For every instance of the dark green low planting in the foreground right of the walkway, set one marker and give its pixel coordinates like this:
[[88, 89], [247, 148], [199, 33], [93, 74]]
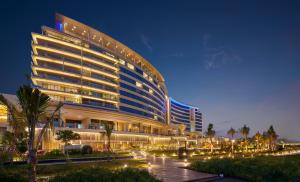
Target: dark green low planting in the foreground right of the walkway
[[261, 168]]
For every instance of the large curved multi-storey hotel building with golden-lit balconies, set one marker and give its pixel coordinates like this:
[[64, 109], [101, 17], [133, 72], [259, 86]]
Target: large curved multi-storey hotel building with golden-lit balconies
[[99, 79]]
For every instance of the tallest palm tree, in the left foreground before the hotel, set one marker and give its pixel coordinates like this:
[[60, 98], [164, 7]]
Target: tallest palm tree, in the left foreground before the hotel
[[33, 110]]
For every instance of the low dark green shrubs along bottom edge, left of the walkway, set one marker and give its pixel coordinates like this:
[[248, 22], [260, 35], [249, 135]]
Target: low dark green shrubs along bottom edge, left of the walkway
[[105, 175]]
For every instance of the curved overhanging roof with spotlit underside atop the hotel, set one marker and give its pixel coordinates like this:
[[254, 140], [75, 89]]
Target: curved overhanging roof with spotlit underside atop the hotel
[[125, 51]]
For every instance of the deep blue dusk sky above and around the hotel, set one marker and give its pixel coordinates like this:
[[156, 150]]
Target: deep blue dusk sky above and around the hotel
[[238, 61]]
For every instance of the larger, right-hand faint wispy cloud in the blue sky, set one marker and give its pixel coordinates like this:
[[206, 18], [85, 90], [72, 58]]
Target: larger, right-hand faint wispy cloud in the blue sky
[[217, 56]]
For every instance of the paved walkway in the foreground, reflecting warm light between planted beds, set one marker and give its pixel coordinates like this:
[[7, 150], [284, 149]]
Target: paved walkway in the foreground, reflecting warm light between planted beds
[[170, 170]]
